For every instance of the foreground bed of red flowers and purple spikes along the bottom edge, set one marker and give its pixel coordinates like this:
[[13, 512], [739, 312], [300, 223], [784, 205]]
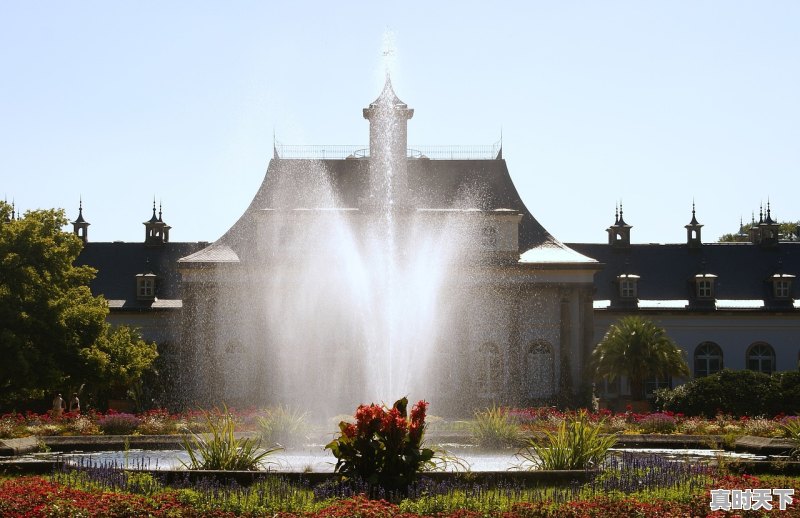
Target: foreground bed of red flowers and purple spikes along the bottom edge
[[655, 488]]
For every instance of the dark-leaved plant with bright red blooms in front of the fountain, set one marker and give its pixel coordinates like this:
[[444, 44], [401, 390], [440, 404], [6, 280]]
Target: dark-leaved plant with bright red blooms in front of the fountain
[[383, 447]]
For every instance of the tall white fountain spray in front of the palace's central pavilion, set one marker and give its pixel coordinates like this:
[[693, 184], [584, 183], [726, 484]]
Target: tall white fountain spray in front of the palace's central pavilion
[[353, 282]]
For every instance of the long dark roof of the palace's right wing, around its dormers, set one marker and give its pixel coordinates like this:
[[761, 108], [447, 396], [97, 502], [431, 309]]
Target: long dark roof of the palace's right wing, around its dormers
[[743, 270]]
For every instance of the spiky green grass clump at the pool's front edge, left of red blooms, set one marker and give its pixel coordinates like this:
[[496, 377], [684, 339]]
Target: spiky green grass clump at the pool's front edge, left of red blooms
[[220, 449]]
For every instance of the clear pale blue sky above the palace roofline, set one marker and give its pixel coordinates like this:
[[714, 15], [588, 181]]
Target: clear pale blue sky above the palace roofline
[[651, 103]]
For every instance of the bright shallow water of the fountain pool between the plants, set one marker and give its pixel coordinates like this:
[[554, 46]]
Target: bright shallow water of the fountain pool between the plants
[[321, 461]]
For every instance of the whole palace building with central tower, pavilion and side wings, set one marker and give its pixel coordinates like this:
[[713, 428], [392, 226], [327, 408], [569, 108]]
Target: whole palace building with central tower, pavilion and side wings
[[389, 268]]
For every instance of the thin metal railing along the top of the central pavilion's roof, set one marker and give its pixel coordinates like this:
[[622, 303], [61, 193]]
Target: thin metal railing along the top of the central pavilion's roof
[[434, 152]]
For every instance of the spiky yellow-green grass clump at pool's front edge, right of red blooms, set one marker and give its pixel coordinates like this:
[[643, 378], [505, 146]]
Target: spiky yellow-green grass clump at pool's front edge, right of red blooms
[[576, 444]]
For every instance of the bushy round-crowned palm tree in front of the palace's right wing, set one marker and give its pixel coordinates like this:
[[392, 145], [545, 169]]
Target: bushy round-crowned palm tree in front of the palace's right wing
[[636, 348]]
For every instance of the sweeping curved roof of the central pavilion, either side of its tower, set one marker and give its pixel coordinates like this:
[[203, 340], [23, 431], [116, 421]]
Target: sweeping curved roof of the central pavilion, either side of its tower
[[296, 183]]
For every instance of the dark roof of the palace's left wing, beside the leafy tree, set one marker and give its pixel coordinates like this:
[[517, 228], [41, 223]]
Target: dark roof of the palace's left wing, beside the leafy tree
[[118, 263]]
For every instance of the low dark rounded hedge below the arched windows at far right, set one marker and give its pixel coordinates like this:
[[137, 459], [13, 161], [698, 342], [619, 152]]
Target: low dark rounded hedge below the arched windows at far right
[[737, 393]]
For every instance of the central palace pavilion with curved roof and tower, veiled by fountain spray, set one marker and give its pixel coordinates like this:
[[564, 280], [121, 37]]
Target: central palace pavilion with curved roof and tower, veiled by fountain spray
[[380, 275]]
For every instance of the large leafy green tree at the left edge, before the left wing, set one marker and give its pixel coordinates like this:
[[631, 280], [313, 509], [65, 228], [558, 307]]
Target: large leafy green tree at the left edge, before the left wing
[[51, 323]]
